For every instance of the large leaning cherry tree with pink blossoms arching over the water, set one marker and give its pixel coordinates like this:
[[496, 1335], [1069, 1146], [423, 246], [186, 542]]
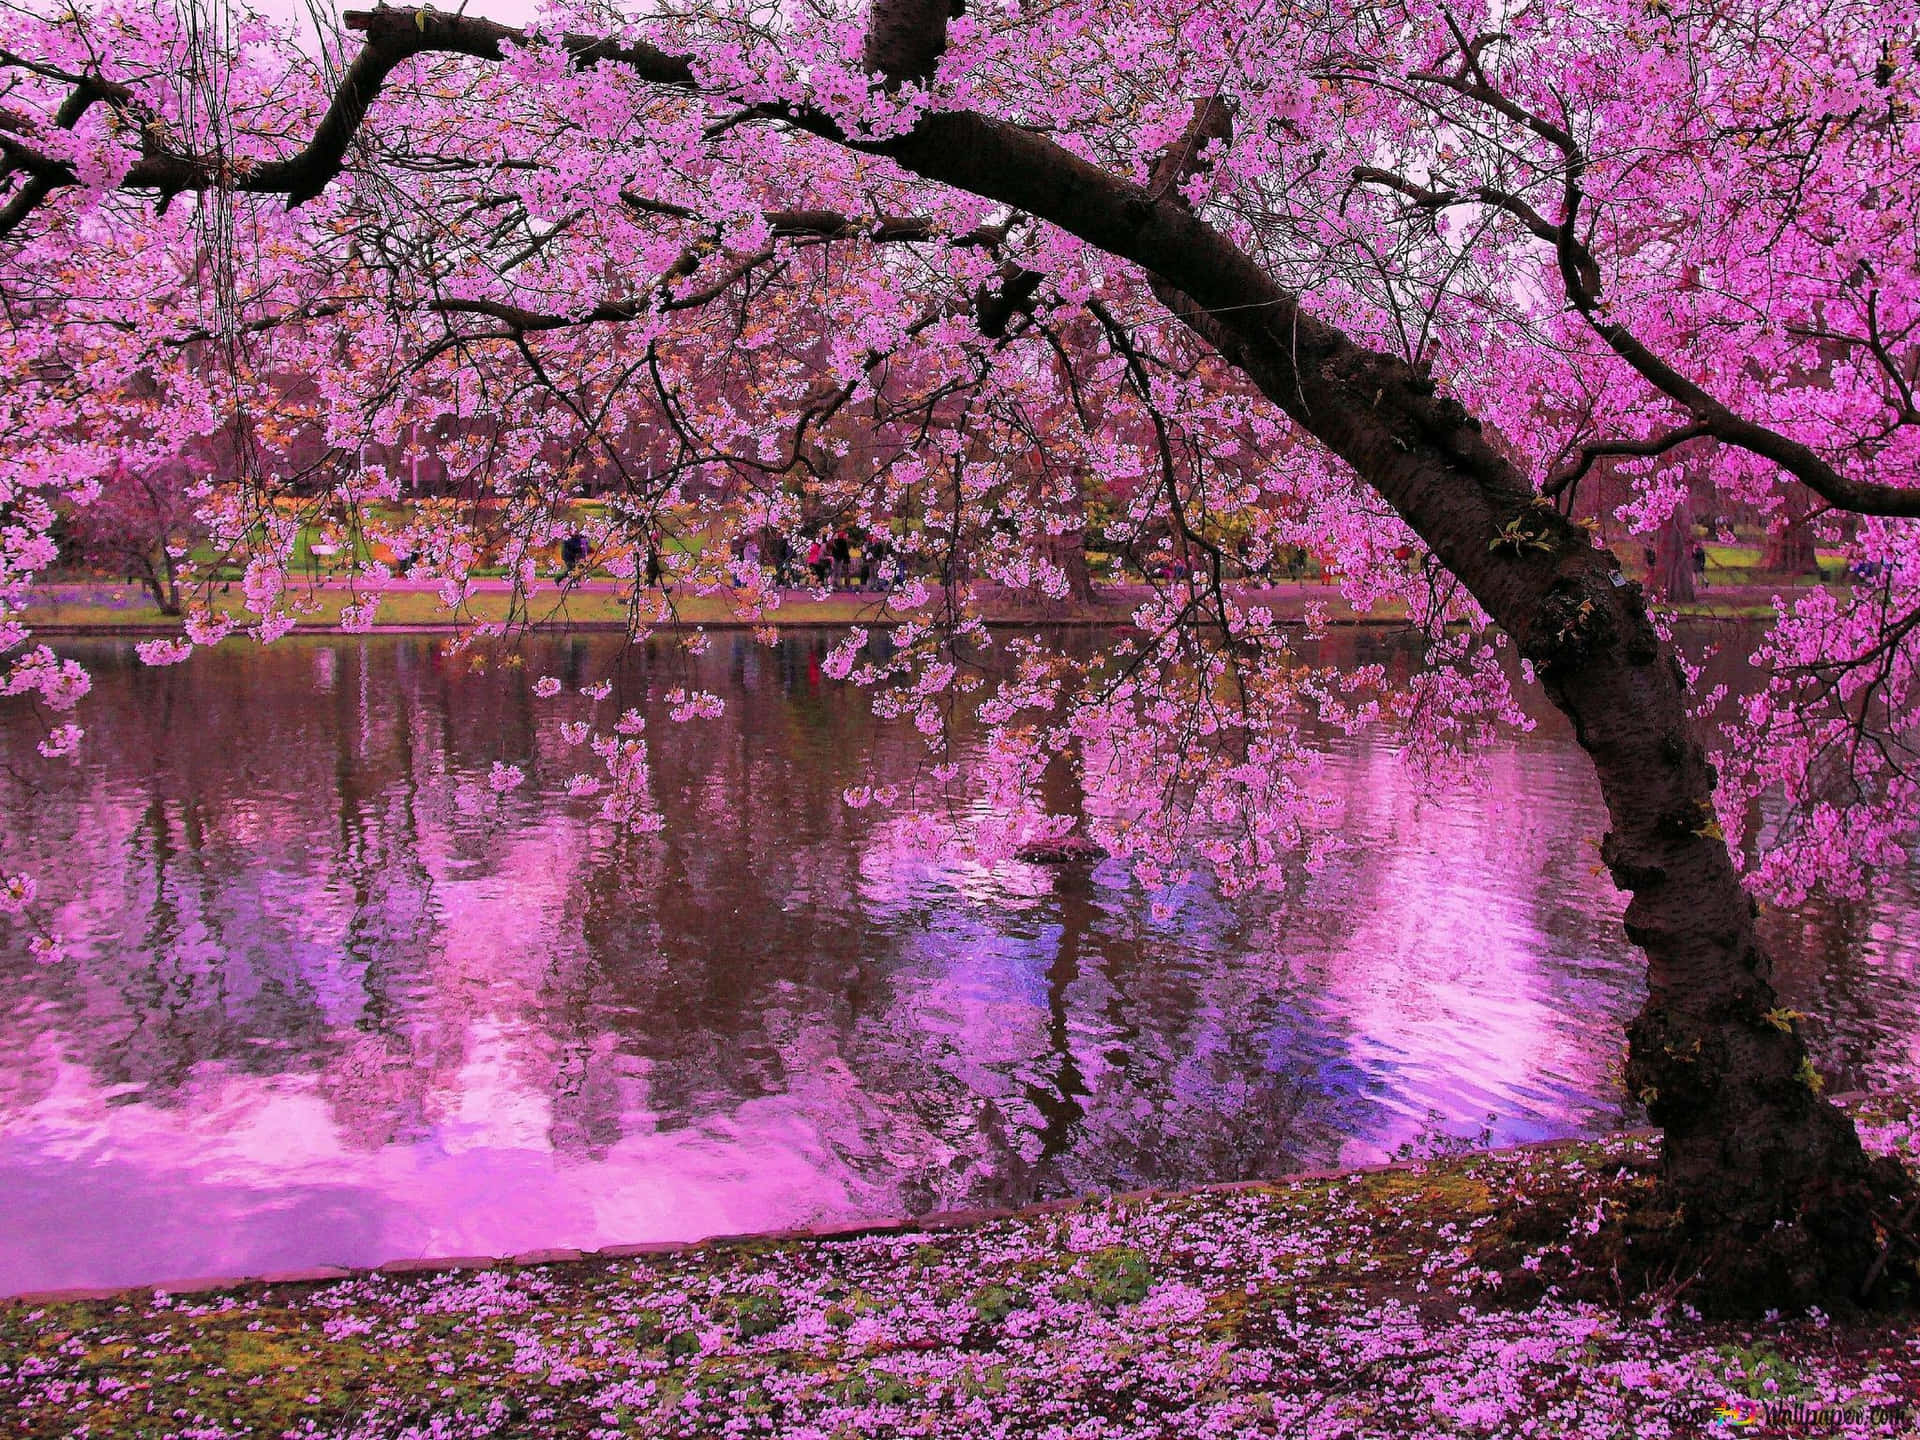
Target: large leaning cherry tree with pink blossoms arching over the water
[[1368, 279]]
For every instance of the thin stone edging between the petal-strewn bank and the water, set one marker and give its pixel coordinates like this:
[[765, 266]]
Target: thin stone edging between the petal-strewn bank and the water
[[938, 1222]]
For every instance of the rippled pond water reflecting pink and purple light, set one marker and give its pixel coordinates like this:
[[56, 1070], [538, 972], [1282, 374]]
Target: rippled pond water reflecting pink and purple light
[[322, 1009]]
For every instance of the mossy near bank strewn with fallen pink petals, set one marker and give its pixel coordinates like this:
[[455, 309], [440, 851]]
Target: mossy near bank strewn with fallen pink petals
[[1399, 1303]]
